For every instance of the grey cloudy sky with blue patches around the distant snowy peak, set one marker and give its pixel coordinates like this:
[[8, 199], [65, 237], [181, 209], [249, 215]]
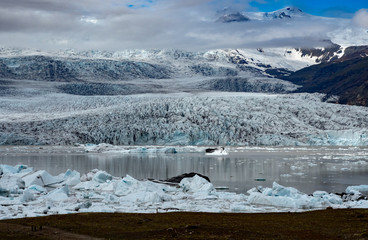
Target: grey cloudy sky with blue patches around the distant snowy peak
[[182, 24]]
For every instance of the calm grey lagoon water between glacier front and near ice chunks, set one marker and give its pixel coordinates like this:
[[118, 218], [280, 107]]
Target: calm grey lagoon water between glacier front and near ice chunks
[[330, 170]]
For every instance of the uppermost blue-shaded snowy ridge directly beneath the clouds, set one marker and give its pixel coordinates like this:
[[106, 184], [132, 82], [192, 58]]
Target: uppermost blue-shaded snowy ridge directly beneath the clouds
[[67, 66]]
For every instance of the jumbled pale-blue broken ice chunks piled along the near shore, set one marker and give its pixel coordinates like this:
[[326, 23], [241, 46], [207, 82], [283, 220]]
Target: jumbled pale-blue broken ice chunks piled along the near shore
[[98, 191]]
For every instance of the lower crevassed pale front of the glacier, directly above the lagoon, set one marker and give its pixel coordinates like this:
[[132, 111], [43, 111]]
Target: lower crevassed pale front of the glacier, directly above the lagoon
[[182, 119]]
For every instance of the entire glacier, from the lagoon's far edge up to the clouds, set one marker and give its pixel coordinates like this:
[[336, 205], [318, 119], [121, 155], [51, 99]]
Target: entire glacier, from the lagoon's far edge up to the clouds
[[170, 97]]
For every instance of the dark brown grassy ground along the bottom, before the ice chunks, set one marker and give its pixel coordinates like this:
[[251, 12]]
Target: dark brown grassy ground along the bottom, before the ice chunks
[[328, 224]]
